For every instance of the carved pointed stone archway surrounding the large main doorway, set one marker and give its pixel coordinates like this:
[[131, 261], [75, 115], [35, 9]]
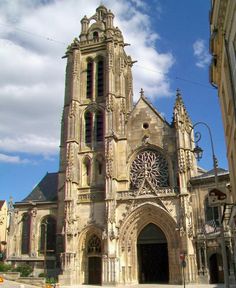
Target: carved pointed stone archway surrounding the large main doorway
[[136, 221]]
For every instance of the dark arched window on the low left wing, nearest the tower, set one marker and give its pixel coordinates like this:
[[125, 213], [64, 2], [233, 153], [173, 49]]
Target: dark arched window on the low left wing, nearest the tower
[[48, 235]]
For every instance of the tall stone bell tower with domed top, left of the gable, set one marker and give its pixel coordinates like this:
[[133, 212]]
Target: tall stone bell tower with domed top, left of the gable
[[98, 100]]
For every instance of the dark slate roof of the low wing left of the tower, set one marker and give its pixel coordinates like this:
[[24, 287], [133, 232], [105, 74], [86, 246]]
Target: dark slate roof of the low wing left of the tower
[[45, 190]]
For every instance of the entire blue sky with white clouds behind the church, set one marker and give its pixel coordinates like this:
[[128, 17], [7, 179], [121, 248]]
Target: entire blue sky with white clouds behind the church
[[168, 38]]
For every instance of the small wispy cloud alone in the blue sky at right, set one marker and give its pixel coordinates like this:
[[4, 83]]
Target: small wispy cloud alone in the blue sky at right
[[201, 53]]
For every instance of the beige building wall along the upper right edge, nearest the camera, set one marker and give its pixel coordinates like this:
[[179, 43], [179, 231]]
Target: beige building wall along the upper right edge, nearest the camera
[[223, 73]]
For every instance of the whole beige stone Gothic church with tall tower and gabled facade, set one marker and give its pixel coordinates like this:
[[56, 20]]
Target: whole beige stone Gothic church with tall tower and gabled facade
[[129, 201]]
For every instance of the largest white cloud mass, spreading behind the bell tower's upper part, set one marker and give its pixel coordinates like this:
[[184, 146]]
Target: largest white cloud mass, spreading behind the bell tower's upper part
[[34, 35]]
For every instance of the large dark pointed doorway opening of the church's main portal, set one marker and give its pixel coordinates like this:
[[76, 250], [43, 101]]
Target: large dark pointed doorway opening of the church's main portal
[[153, 264]]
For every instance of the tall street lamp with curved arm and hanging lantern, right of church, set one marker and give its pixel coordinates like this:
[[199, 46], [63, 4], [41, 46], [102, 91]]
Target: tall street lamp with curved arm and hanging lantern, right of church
[[198, 152]]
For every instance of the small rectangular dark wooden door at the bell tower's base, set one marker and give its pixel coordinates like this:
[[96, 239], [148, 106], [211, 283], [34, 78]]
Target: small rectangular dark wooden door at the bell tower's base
[[94, 270]]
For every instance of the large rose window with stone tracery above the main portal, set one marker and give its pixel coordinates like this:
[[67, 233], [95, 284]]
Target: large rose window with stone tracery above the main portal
[[149, 168]]
